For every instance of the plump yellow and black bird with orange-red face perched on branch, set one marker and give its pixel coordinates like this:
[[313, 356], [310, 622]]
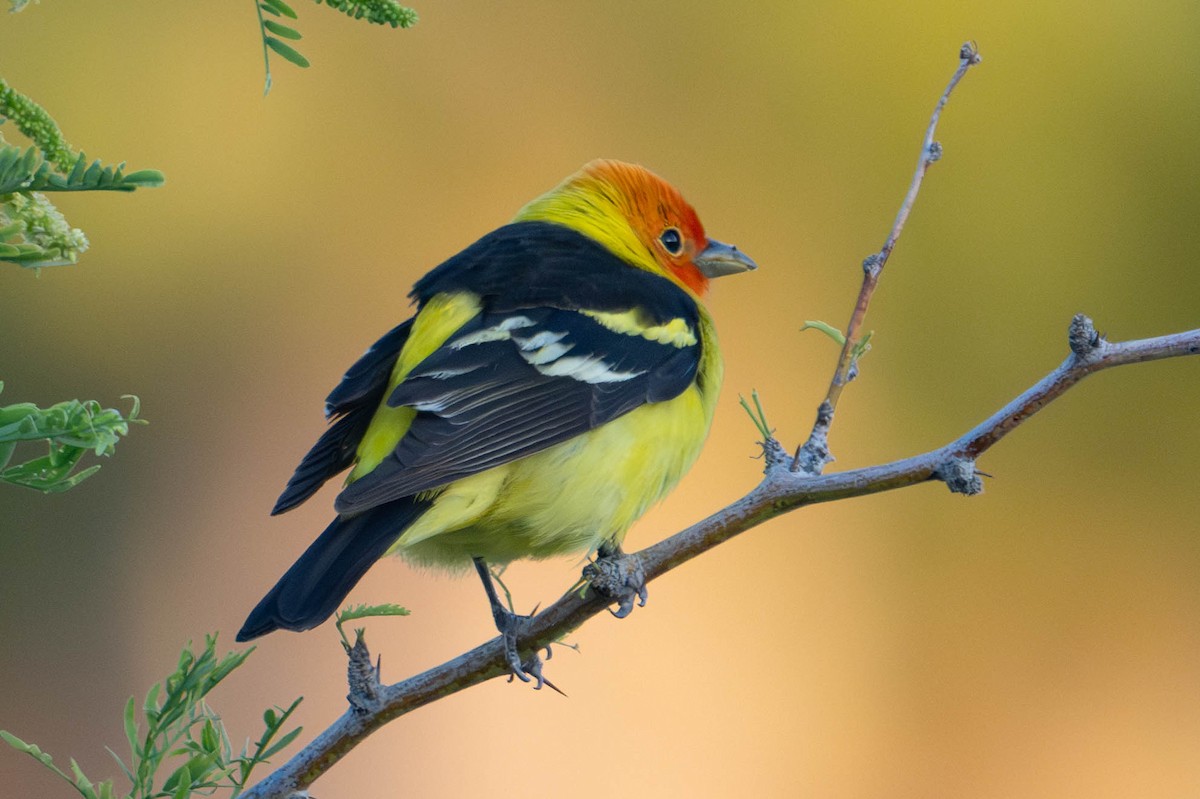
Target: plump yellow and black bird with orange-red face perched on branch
[[559, 379]]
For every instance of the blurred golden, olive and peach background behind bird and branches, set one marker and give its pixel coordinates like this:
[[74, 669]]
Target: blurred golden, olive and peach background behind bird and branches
[[1042, 640]]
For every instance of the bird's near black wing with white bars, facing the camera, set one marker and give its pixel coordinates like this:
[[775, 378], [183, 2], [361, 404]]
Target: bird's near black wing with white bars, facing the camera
[[514, 383]]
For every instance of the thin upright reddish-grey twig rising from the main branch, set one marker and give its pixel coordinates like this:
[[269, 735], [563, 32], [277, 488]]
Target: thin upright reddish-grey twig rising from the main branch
[[813, 456]]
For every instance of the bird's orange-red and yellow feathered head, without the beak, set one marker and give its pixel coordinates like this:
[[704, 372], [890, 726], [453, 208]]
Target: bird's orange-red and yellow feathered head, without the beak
[[635, 214]]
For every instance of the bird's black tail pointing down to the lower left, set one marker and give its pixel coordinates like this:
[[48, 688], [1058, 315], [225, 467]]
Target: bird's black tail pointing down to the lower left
[[315, 586]]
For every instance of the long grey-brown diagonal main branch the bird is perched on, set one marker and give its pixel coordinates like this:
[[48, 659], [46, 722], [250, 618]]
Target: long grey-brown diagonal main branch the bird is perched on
[[781, 491]]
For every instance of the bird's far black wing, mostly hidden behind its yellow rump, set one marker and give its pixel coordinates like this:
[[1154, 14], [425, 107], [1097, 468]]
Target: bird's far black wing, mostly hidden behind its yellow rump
[[351, 407]]
